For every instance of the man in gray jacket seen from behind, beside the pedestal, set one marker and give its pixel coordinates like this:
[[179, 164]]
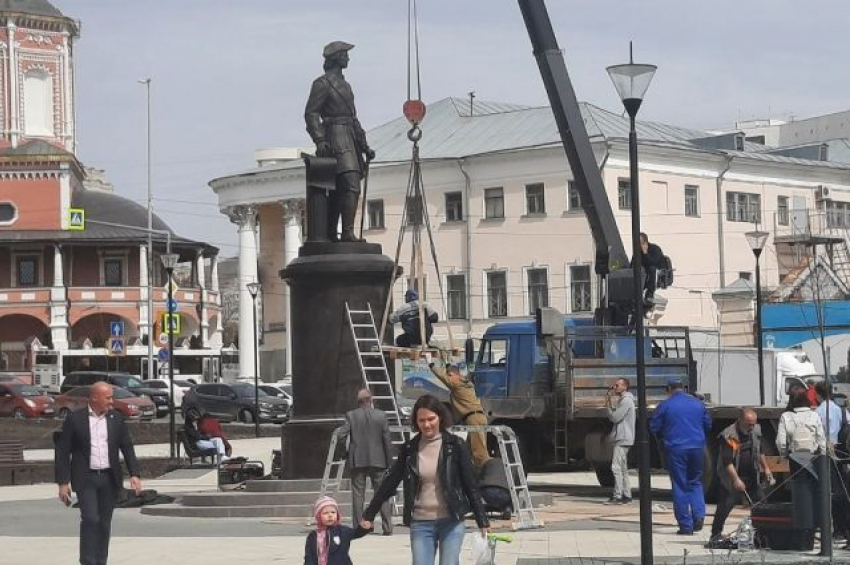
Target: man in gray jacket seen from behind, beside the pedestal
[[370, 452]]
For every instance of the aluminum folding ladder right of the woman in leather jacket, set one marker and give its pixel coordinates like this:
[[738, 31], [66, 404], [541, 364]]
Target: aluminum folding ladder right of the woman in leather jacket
[[524, 516]]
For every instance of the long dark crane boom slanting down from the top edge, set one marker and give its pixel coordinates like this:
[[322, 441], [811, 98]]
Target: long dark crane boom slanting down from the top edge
[[610, 253]]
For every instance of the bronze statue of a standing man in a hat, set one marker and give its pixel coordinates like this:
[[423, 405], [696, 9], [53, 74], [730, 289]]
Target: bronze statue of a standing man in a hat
[[332, 123]]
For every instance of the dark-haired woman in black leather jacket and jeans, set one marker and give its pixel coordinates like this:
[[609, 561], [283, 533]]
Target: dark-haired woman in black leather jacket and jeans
[[439, 487]]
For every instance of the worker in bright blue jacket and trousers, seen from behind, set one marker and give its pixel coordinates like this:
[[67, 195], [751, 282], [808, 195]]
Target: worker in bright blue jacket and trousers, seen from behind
[[681, 424]]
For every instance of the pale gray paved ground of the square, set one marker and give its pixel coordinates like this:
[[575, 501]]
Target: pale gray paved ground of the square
[[36, 529]]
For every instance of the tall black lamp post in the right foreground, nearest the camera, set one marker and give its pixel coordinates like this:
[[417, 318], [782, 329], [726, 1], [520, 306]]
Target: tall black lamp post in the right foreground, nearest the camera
[[631, 81]]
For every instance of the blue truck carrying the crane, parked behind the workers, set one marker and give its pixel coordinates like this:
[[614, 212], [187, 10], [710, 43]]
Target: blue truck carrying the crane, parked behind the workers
[[551, 389]]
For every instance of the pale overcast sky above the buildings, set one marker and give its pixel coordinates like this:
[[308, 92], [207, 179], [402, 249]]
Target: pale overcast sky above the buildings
[[230, 76]]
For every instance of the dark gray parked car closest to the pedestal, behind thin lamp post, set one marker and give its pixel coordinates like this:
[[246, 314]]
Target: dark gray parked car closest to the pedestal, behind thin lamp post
[[234, 402]]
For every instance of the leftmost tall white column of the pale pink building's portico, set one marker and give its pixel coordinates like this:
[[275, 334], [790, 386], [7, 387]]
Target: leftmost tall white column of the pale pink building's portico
[[245, 217]]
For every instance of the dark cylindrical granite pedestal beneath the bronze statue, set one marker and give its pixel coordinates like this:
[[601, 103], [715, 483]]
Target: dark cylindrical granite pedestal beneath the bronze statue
[[325, 371]]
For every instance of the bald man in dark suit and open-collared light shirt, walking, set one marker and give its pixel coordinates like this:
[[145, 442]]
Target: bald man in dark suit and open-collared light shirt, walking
[[87, 461]]
